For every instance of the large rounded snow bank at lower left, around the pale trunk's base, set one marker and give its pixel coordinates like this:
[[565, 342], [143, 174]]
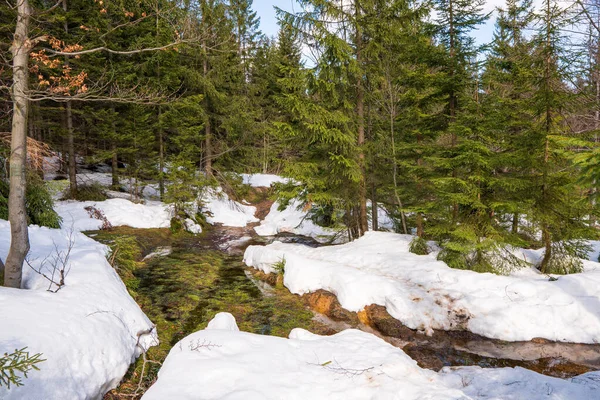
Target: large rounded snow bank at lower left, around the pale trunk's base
[[87, 332]]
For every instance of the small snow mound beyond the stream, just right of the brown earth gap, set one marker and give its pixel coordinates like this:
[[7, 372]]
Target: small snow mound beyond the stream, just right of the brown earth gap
[[293, 220]]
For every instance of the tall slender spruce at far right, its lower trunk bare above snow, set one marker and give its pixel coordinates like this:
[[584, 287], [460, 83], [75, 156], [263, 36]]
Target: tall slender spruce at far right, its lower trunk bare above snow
[[558, 207]]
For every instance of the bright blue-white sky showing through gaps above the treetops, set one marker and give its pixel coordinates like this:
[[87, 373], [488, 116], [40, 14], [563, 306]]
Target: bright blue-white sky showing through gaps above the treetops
[[268, 18]]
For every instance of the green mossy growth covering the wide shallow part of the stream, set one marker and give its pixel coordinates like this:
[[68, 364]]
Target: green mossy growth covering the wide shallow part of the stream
[[183, 291]]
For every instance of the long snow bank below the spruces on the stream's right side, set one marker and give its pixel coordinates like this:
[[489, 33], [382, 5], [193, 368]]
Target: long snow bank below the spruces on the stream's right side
[[426, 294]]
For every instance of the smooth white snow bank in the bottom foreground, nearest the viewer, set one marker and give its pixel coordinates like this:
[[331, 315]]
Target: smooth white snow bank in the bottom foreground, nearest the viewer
[[223, 363]]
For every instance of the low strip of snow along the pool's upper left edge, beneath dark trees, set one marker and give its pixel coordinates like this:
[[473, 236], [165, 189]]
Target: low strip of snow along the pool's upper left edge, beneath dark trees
[[117, 211]]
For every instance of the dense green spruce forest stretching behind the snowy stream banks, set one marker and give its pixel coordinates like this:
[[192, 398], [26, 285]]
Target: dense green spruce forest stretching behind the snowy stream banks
[[392, 102]]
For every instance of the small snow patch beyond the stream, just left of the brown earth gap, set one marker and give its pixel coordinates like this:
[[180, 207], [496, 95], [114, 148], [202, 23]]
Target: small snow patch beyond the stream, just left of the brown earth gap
[[221, 210]]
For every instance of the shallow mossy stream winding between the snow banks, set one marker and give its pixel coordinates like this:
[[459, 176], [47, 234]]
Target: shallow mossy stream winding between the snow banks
[[181, 281]]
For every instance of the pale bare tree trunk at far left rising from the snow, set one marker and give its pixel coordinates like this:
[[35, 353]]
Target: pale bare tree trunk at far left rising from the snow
[[17, 213]]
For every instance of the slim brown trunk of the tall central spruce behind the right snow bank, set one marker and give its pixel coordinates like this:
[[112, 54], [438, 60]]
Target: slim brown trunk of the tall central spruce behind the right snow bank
[[363, 223]]
